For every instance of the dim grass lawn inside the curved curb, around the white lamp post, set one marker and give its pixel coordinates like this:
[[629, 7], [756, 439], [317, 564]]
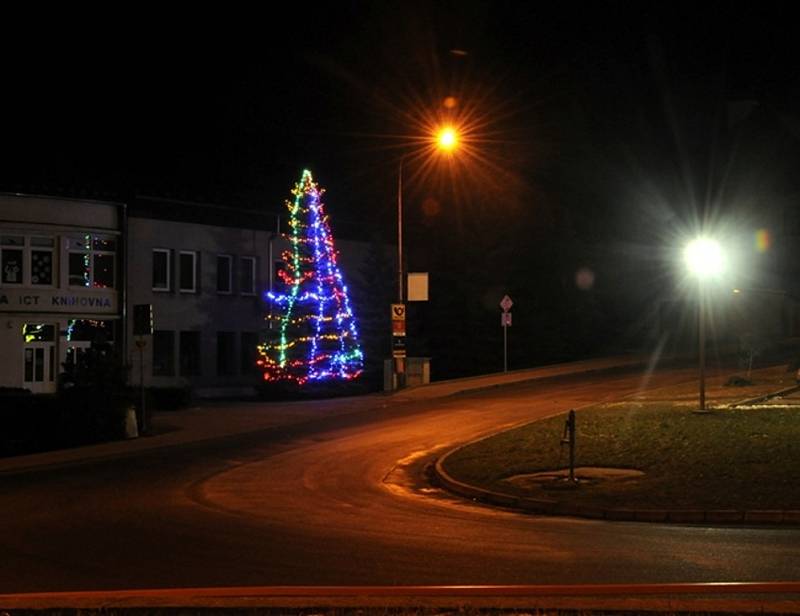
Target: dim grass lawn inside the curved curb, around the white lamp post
[[732, 458]]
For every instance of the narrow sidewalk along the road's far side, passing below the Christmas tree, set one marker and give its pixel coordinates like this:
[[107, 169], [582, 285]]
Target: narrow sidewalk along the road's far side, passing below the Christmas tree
[[219, 419]]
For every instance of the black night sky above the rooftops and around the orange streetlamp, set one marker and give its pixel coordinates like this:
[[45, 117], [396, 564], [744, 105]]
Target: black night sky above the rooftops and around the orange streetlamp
[[230, 105]]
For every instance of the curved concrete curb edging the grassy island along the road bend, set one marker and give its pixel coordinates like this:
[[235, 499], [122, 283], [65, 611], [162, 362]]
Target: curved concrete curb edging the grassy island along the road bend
[[559, 508]]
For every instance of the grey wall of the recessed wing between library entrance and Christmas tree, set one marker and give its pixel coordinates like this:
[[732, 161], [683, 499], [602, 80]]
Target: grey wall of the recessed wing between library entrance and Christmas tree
[[206, 312]]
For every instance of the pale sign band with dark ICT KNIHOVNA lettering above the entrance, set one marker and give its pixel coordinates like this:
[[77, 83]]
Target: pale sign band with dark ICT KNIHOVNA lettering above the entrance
[[57, 300]]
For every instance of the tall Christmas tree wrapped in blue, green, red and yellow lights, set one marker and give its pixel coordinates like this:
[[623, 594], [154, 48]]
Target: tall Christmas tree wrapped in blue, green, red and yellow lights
[[316, 337]]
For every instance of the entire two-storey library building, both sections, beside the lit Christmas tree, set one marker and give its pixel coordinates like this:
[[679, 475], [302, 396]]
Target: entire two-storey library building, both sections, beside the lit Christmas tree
[[73, 270]]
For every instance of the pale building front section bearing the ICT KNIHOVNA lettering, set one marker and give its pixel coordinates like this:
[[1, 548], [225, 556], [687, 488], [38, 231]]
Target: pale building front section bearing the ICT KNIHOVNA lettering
[[61, 285]]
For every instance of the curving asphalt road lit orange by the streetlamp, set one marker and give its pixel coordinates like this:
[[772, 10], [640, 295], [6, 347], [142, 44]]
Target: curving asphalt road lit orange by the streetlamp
[[344, 501]]
